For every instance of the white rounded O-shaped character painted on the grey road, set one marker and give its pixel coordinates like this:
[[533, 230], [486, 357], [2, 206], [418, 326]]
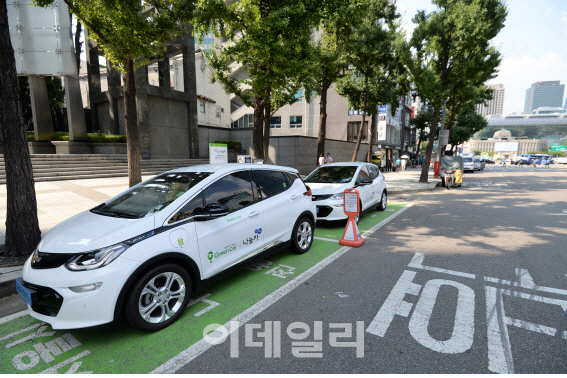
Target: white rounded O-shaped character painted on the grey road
[[461, 338]]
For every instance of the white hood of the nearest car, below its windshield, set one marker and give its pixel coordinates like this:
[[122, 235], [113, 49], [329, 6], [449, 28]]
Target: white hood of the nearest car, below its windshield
[[88, 231]]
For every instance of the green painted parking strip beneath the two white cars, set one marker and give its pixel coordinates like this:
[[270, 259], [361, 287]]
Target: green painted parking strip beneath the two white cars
[[131, 351]]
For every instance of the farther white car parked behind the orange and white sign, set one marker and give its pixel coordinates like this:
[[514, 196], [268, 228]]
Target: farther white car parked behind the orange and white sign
[[329, 182]]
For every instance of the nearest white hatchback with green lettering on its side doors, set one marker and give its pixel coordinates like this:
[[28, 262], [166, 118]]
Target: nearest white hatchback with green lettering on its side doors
[[143, 253]]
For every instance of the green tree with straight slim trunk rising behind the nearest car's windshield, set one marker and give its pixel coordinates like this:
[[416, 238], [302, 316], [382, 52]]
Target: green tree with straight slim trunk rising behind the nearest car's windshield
[[130, 32]]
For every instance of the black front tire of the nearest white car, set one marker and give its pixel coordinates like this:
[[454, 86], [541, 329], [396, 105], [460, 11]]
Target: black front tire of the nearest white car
[[158, 276]]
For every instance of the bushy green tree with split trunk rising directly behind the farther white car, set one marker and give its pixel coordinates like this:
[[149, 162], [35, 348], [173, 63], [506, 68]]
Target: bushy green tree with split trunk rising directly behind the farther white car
[[375, 74]]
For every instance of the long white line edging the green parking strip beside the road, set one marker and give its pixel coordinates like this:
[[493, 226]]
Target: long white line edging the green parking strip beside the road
[[244, 317]]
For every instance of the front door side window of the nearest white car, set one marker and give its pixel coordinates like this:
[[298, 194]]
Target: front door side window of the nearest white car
[[233, 191]]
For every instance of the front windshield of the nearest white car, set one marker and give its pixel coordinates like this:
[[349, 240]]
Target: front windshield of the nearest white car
[[152, 196]]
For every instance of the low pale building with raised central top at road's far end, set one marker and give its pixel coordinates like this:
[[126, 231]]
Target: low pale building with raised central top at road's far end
[[503, 143]]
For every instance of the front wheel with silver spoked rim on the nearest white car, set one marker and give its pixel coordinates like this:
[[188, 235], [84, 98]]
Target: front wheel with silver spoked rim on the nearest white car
[[158, 298]]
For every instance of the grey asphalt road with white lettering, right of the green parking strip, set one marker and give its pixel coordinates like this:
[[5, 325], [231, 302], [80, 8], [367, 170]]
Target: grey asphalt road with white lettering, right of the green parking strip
[[471, 280]]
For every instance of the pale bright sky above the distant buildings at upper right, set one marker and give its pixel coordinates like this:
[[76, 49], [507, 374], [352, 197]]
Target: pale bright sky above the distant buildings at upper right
[[532, 44]]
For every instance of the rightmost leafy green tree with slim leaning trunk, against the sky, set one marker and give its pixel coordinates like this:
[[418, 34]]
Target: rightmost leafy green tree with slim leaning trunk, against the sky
[[451, 50]]
